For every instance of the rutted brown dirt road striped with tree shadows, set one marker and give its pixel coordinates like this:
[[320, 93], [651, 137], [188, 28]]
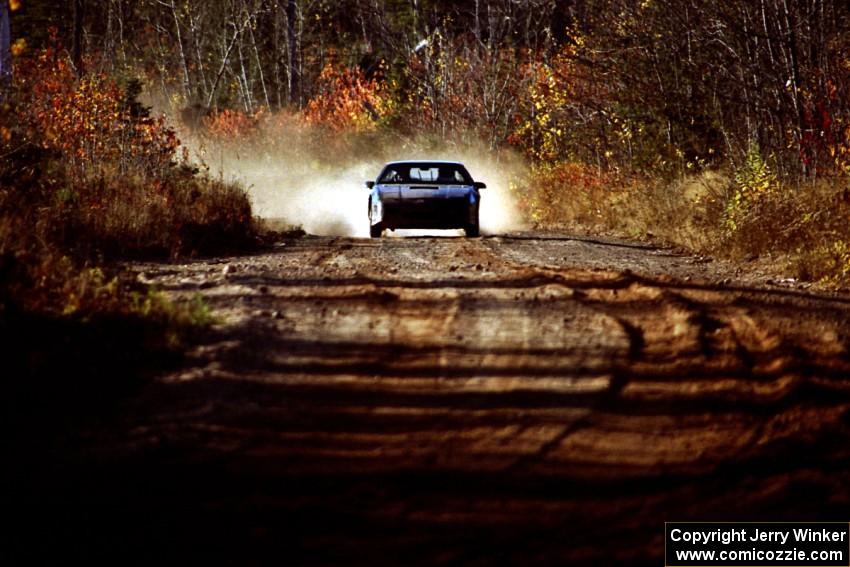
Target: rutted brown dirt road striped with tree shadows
[[525, 399]]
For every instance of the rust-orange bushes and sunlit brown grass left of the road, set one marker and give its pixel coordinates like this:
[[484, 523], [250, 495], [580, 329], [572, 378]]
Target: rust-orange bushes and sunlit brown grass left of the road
[[91, 176]]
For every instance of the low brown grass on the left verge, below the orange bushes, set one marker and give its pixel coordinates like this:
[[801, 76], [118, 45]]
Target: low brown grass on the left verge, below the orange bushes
[[70, 314]]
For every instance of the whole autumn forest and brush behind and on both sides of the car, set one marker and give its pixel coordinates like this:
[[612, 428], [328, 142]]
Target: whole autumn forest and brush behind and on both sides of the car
[[722, 127]]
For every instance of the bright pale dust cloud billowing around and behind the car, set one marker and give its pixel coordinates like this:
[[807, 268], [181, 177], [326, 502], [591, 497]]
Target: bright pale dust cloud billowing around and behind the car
[[297, 180]]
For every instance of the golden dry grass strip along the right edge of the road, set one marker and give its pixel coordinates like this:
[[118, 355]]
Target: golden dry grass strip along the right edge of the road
[[799, 227]]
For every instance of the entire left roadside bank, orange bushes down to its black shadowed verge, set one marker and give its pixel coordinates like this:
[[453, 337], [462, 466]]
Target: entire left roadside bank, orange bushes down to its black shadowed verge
[[89, 179]]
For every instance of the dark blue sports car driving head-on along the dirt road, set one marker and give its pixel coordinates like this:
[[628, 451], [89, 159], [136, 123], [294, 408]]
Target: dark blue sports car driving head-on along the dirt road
[[424, 194]]
